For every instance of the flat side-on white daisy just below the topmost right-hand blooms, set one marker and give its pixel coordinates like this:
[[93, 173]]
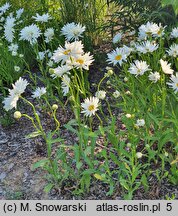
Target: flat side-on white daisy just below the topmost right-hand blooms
[[146, 47]]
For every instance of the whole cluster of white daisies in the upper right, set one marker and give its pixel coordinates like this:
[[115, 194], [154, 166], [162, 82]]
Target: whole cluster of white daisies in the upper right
[[146, 43]]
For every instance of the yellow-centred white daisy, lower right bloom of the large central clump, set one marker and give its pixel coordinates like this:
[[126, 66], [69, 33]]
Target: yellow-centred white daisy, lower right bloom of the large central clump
[[83, 61]]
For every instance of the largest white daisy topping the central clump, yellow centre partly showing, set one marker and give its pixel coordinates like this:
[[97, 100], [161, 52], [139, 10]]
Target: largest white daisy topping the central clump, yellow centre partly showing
[[70, 50]]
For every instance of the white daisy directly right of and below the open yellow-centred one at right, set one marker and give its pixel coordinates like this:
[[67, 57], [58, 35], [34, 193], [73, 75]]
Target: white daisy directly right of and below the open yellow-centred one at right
[[138, 67]]
